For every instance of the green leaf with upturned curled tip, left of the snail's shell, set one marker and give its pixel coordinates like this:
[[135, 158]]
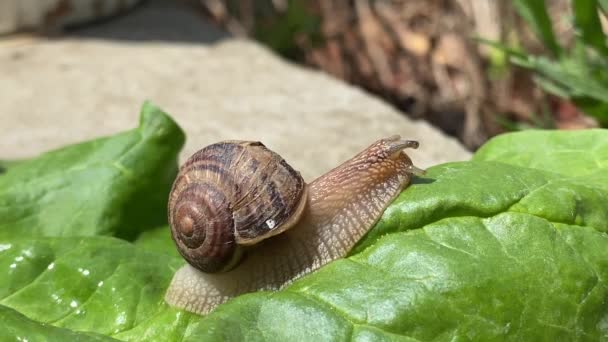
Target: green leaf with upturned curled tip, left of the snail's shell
[[109, 186]]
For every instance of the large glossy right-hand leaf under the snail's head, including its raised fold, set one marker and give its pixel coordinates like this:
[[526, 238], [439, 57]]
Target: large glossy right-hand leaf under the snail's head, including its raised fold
[[473, 252]]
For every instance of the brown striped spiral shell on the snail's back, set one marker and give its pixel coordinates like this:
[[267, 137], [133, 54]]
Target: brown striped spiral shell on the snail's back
[[229, 195]]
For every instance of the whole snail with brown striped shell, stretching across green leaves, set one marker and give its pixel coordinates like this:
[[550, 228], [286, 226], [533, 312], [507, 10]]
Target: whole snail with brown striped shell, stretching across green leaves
[[245, 220]]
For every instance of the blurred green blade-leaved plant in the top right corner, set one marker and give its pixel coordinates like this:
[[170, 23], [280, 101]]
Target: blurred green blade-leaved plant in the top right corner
[[578, 73]]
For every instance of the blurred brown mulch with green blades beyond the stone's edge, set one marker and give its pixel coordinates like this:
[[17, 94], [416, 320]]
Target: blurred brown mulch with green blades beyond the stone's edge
[[474, 68]]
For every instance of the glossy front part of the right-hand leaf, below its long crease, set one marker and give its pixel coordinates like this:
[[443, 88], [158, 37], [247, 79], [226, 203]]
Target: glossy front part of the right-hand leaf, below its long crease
[[511, 276]]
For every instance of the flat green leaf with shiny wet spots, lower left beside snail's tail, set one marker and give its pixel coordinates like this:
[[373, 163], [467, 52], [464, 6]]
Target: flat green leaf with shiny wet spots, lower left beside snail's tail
[[95, 284]]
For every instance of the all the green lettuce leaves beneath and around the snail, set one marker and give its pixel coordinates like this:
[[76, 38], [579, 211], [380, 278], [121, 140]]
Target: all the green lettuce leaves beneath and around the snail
[[511, 245]]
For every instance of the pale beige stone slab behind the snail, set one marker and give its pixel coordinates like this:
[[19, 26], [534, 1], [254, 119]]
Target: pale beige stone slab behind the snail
[[56, 92]]
